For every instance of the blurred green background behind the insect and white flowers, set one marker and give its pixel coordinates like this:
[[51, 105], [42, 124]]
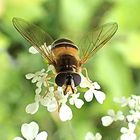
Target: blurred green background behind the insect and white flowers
[[116, 67]]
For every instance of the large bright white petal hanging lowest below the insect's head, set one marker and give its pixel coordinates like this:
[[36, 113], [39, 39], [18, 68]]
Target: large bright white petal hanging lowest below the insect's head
[[65, 113]]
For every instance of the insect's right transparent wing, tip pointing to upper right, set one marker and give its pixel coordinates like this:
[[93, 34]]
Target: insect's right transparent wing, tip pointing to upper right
[[95, 40]]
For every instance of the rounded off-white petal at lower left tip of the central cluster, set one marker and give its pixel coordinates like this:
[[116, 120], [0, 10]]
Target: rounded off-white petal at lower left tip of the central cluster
[[32, 108]]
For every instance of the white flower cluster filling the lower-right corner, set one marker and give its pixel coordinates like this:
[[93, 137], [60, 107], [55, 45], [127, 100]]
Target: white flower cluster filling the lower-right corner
[[131, 118]]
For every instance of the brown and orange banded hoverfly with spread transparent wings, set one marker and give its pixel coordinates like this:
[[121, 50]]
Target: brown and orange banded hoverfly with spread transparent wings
[[63, 54]]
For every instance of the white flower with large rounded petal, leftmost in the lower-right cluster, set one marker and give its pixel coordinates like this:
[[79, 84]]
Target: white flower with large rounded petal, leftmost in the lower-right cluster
[[107, 120]]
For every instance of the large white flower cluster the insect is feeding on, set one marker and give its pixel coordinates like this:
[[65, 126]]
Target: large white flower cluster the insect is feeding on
[[54, 99]]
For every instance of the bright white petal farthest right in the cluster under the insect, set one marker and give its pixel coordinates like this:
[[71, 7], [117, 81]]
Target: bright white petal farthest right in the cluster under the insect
[[100, 96]]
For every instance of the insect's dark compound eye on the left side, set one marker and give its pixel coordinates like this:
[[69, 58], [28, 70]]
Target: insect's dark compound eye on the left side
[[61, 79]]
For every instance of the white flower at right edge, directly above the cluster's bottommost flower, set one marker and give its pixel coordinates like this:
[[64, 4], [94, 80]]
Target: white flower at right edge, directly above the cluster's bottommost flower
[[134, 117]]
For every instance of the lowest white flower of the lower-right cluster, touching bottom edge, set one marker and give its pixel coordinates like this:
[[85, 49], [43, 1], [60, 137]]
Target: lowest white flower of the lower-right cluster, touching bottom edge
[[128, 133]]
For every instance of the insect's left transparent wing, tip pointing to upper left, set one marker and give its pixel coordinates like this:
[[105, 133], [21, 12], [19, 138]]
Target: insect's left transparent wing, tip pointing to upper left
[[36, 36]]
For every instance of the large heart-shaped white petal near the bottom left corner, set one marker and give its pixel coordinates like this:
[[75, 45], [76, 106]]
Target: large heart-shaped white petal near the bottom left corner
[[29, 131]]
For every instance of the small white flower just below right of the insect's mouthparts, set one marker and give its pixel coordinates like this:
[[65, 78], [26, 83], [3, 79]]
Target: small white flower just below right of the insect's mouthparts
[[75, 101]]
